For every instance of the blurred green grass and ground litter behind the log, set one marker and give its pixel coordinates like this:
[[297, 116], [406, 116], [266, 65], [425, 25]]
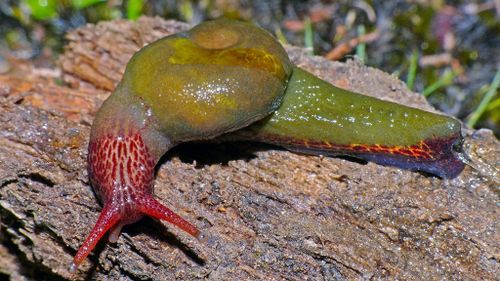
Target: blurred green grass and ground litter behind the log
[[446, 50]]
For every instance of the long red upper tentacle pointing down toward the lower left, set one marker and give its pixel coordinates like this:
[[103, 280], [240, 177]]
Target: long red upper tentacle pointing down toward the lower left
[[108, 218]]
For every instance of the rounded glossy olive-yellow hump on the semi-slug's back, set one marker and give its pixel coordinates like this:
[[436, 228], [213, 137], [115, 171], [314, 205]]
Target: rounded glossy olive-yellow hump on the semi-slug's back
[[217, 77]]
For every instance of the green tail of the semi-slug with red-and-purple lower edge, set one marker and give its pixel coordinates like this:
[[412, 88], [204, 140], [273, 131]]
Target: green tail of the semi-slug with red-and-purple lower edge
[[318, 118]]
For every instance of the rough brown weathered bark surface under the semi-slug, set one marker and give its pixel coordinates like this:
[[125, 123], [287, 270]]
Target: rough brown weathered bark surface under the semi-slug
[[265, 213]]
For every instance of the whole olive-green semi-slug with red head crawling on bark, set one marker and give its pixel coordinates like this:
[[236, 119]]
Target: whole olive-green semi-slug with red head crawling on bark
[[233, 80]]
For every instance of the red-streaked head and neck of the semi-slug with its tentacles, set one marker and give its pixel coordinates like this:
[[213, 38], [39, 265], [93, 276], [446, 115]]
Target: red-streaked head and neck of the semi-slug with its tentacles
[[122, 172]]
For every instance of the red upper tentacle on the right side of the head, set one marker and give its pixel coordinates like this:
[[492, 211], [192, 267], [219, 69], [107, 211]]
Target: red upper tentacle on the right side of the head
[[151, 207]]
